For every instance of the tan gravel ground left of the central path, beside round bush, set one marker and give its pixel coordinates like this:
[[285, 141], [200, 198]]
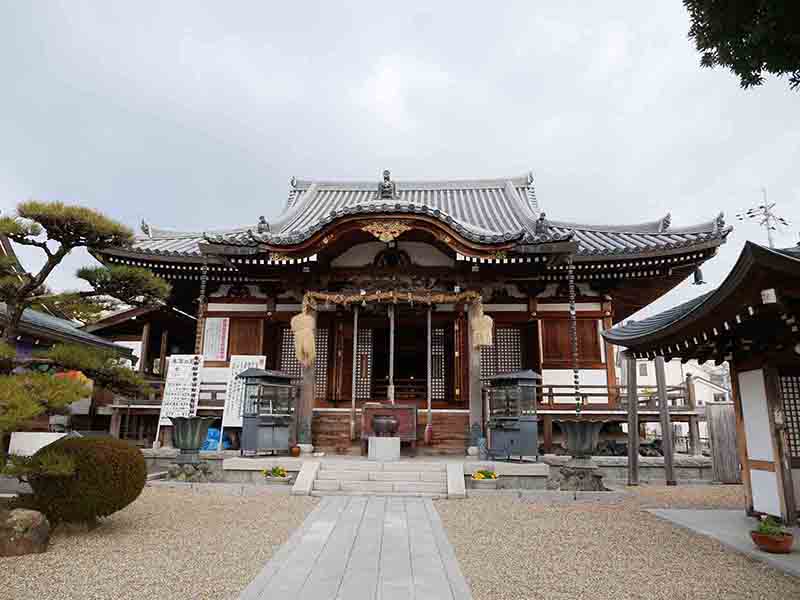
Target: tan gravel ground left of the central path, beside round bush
[[169, 544]]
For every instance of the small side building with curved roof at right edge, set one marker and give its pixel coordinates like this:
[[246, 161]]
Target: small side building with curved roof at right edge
[[752, 321]]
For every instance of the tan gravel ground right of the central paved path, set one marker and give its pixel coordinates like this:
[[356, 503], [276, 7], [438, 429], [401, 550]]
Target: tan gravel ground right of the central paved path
[[510, 549]]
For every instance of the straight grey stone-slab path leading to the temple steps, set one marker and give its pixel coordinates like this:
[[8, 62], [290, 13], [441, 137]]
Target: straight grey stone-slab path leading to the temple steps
[[360, 548]]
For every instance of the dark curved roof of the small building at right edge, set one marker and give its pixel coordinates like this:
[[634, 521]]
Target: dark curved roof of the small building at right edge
[[754, 261]]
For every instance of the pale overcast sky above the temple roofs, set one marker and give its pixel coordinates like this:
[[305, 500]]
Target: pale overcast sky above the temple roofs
[[195, 115]]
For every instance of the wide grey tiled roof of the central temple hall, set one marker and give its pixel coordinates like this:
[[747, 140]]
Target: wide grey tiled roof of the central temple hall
[[489, 211]]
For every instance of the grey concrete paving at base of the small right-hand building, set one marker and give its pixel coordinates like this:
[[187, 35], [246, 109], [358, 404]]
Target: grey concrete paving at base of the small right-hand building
[[732, 528]]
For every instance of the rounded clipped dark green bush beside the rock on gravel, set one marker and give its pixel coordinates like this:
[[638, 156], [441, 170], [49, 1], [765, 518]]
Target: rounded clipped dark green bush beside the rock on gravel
[[108, 475]]
